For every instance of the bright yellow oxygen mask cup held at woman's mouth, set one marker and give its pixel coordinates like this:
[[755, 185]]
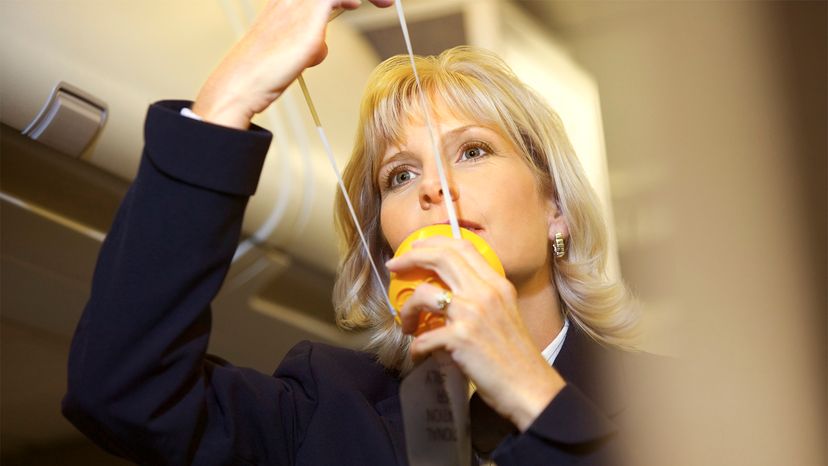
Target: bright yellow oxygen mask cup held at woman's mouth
[[403, 284]]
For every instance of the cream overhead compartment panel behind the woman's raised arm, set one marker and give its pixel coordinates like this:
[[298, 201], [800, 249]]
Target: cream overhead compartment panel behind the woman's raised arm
[[131, 54]]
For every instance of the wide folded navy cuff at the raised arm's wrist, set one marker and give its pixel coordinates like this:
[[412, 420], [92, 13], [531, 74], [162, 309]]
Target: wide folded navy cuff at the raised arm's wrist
[[203, 154]]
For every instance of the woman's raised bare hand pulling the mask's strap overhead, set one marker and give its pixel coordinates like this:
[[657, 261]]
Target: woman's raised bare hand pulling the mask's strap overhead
[[287, 37]]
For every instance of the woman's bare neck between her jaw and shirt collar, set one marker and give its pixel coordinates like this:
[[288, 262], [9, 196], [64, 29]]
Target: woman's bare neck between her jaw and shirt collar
[[540, 308]]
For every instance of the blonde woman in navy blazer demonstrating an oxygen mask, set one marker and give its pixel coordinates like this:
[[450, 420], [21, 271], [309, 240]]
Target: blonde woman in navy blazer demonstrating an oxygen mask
[[140, 383]]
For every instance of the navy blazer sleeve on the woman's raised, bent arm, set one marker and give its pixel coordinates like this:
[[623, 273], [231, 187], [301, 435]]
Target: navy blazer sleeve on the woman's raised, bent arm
[[140, 383]]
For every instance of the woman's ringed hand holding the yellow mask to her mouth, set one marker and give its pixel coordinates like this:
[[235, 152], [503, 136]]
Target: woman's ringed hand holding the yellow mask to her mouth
[[485, 334]]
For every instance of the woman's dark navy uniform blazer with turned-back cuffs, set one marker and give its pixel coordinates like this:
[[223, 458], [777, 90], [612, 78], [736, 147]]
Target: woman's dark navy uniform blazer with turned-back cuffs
[[142, 386]]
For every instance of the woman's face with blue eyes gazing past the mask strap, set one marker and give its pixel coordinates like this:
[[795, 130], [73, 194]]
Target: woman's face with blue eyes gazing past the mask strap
[[495, 193]]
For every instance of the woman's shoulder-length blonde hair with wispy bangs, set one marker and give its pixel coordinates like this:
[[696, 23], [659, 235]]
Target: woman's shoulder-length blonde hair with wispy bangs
[[479, 85]]
